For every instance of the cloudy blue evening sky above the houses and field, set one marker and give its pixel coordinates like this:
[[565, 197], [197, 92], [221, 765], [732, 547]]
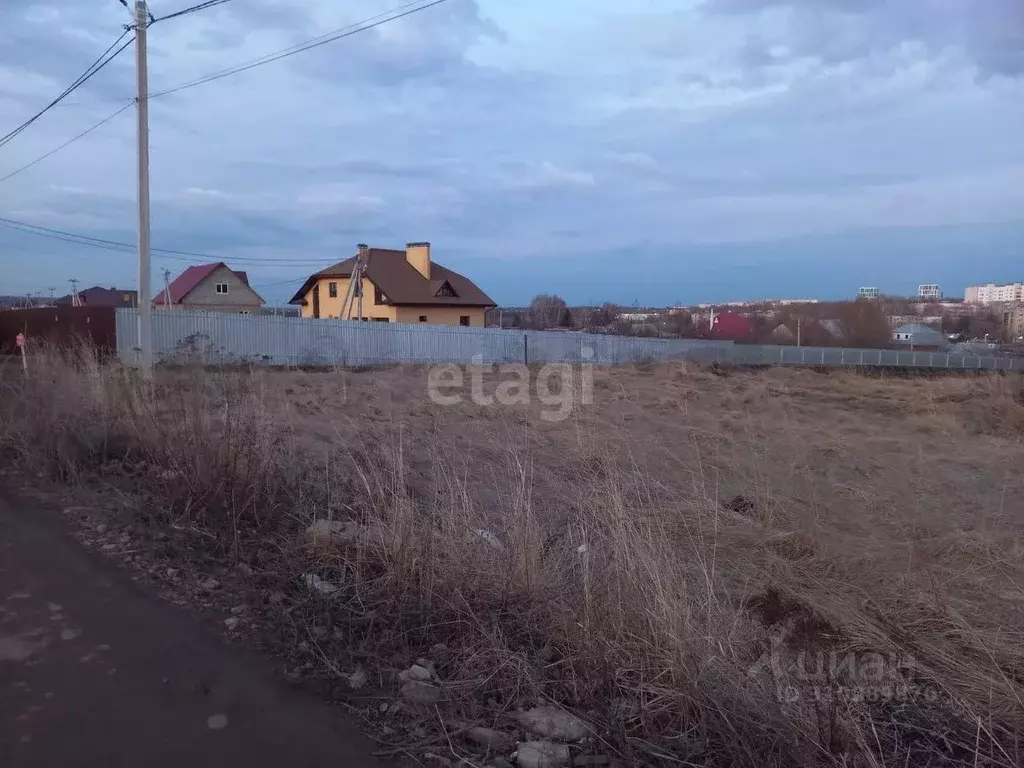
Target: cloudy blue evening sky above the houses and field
[[650, 153]]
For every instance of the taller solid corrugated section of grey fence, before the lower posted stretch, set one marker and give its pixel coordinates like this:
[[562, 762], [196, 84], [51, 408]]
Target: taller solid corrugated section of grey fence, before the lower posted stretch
[[210, 337]]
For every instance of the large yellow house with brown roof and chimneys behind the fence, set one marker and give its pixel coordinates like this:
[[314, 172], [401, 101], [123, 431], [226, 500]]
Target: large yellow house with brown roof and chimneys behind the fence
[[397, 287]]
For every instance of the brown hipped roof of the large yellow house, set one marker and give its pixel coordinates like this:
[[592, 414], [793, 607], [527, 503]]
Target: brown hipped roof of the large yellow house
[[402, 283]]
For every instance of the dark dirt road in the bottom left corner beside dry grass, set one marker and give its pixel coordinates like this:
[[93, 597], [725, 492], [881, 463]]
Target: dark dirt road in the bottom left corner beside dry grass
[[96, 673]]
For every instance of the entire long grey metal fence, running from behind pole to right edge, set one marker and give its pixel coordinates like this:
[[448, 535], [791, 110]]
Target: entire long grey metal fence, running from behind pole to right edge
[[211, 337]]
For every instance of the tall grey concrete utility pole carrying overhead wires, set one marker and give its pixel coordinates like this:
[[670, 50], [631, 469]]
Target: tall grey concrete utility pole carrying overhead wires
[[145, 310]]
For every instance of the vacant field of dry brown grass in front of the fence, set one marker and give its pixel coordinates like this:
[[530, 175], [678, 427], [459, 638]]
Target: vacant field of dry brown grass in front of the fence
[[783, 568]]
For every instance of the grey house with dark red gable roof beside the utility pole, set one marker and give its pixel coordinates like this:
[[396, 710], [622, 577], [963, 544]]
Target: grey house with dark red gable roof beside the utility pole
[[211, 288]]
